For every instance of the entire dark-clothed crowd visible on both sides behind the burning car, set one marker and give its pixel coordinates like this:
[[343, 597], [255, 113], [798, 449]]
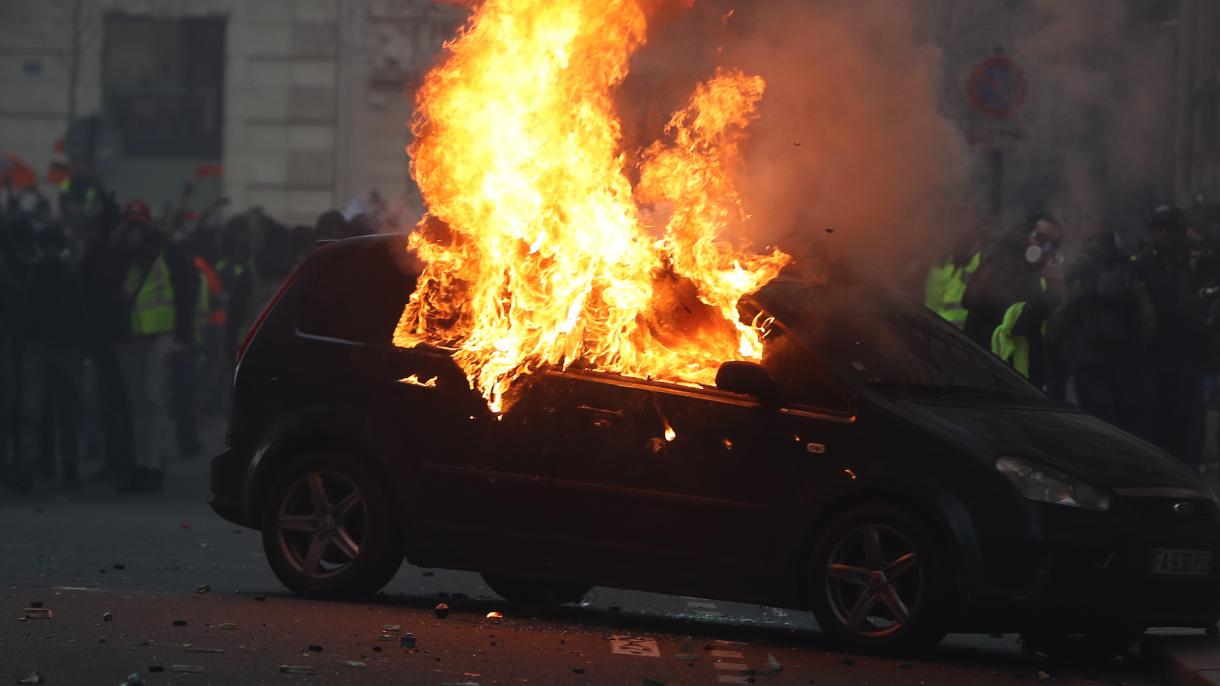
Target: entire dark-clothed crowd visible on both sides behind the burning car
[[119, 328]]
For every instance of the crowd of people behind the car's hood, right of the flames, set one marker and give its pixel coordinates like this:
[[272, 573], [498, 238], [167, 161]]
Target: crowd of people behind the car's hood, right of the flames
[[1132, 339]]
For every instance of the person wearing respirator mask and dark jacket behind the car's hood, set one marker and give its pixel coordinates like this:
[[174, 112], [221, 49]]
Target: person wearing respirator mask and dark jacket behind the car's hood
[[1008, 301]]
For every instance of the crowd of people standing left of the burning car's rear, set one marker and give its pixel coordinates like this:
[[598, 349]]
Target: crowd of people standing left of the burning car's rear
[[119, 327]]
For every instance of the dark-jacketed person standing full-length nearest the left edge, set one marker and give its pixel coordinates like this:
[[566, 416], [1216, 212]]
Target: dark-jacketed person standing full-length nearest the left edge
[[53, 356]]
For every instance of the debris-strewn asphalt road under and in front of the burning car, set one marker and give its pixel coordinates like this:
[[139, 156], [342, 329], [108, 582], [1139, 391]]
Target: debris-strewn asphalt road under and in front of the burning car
[[146, 562]]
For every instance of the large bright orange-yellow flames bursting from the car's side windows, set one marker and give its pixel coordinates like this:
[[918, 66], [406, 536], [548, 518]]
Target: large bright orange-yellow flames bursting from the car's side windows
[[536, 248]]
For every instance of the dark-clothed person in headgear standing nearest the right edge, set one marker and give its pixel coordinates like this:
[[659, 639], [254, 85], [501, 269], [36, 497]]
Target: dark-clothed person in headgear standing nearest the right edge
[[1173, 364]]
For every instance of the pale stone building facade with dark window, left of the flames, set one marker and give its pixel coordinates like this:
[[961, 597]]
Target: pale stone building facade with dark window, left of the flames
[[300, 106]]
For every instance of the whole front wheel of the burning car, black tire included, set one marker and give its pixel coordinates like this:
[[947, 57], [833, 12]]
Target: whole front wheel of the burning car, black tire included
[[896, 599]]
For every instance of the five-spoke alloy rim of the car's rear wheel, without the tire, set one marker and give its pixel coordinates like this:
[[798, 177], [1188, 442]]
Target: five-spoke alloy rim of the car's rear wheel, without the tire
[[321, 524]]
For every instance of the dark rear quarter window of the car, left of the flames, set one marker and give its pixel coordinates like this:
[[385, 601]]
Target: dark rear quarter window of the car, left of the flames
[[359, 297]]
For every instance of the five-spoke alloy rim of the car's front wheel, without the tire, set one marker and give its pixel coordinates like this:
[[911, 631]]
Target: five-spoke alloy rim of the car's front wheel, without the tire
[[874, 580]]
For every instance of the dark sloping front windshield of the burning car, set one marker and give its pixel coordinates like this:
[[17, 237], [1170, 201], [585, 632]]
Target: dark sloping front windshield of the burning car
[[890, 344]]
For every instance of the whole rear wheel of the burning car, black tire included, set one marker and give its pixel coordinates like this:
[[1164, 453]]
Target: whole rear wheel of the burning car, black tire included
[[347, 549]]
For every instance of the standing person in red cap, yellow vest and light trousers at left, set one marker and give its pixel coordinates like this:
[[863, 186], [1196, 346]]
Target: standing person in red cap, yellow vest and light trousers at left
[[162, 290]]
